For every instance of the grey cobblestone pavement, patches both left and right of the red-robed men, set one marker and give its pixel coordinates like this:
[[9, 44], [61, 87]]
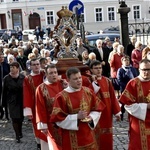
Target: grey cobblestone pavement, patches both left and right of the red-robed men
[[7, 141]]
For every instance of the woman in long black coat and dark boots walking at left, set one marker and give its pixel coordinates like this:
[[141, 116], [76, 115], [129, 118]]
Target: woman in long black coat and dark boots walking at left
[[12, 96]]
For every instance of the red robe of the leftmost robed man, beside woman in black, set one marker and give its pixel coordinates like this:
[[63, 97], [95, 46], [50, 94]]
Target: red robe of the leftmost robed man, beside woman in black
[[29, 86]]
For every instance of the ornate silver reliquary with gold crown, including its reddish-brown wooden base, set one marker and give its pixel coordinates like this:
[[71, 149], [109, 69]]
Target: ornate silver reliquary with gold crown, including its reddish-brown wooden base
[[65, 33]]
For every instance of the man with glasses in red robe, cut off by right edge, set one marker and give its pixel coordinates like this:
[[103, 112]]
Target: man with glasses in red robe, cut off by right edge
[[136, 98]]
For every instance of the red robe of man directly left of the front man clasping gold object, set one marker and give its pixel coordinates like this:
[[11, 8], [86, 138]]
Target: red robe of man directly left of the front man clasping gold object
[[45, 95]]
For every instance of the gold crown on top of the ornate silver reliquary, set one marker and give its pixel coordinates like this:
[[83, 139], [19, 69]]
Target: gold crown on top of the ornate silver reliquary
[[64, 12]]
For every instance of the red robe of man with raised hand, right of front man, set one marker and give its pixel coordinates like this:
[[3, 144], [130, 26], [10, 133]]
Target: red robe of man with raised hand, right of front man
[[104, 131]]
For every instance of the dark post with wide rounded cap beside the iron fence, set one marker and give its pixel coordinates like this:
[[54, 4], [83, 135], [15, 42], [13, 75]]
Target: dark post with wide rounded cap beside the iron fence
[[123, 10]]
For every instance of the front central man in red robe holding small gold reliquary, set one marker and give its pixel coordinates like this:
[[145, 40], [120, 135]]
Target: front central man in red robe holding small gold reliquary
[[77, 110]]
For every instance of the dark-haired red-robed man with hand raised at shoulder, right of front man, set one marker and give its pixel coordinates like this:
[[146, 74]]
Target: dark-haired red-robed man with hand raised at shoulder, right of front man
[[105, 91]]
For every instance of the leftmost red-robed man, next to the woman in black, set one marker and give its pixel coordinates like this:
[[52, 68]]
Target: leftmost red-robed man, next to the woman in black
[[31, 82]]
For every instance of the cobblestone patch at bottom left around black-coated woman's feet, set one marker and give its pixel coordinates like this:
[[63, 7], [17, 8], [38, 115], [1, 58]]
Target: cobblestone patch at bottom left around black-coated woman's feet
[[7, 137]]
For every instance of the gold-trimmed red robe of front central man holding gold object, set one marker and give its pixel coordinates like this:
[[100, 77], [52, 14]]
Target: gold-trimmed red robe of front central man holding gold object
[[70, 103]]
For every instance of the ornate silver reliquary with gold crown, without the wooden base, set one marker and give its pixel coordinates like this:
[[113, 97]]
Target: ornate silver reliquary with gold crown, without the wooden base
[[65, 33]]
